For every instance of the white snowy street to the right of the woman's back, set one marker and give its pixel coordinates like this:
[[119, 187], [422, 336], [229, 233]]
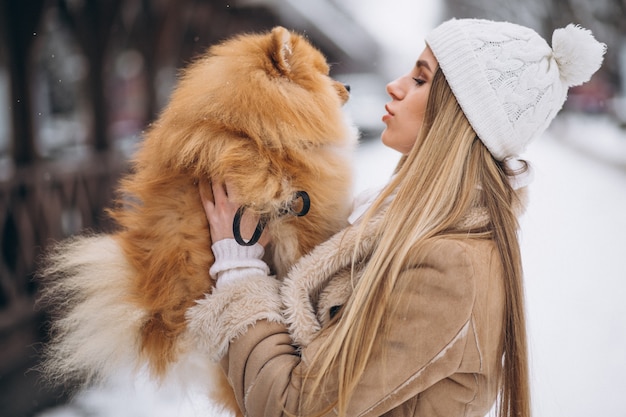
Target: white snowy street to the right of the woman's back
[[574, 243]]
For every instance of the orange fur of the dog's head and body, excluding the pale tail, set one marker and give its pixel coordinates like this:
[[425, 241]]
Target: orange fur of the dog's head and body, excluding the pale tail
[[260, 112]]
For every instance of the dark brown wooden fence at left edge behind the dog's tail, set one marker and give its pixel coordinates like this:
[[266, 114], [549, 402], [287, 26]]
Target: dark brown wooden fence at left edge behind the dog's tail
[[40, 204]]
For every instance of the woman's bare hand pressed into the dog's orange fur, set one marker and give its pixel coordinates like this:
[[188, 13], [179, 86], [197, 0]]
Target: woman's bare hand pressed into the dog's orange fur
[[221, 212]]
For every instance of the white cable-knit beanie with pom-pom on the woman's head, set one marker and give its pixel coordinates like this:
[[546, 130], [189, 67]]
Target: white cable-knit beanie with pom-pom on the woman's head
[[506, 78]]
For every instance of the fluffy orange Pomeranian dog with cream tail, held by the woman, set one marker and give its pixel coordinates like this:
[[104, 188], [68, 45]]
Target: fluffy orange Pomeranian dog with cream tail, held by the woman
[[258, 111]]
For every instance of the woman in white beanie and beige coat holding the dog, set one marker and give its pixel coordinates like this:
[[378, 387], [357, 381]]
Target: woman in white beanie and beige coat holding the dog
[[416, 309]]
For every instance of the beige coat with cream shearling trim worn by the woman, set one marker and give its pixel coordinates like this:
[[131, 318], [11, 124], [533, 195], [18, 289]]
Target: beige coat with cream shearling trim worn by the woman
[[441, 356]]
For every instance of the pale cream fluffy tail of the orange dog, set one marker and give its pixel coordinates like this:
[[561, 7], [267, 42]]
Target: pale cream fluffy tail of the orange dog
[[95, 327]]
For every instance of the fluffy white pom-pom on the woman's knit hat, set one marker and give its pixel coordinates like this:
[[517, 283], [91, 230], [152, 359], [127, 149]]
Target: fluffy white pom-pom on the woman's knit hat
[[577, 53]]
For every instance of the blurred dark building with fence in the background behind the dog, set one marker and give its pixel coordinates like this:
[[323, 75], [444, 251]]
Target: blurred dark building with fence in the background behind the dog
[[79, 80]]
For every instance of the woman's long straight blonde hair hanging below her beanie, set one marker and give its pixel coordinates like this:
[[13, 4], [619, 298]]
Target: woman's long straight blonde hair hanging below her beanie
[[447, 173]]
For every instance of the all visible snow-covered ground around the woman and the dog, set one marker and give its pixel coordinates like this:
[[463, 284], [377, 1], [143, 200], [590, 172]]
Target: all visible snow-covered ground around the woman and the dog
[[573, 244]]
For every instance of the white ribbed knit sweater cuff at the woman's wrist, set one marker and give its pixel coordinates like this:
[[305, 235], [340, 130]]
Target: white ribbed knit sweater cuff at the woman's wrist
[[234, 262]]
